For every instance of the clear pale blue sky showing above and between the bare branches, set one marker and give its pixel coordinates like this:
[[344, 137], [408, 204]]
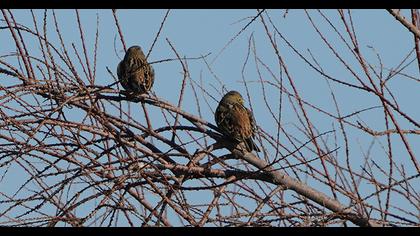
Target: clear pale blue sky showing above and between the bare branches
[[195, 33]]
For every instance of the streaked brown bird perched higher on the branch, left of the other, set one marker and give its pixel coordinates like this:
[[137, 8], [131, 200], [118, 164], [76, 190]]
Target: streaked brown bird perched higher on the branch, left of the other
[[135, 74]]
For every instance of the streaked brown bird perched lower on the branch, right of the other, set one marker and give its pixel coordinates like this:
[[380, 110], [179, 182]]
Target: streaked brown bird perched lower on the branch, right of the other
[[235, 120]]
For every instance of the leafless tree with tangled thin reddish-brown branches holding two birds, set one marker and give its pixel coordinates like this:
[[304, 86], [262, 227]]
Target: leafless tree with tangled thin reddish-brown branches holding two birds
[[82, 158]]
